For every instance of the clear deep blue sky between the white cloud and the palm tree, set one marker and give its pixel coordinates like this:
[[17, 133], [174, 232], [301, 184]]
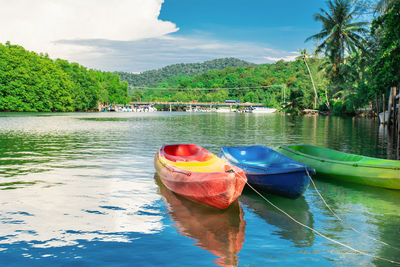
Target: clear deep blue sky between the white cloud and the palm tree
[[283, 24]]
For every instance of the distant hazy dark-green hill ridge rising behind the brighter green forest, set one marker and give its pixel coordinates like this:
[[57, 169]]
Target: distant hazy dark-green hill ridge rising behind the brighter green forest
[[153, 77]]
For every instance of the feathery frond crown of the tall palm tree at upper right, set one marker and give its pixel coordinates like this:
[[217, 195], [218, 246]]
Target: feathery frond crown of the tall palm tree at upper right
[[339, 35]]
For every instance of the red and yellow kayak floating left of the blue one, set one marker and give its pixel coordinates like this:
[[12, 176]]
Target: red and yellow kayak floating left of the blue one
[[197, 174]]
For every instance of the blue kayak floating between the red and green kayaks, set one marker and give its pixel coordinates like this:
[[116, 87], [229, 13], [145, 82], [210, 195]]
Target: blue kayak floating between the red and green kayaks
[[269, 170]]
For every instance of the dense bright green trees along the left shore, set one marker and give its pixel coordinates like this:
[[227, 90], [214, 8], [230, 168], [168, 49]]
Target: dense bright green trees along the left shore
[[33, 82]]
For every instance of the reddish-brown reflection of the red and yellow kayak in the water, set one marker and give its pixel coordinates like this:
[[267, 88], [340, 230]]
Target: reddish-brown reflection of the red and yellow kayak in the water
[[221, 232]]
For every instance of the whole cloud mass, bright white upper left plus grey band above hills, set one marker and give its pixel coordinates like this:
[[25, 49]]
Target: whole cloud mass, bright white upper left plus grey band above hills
[[124, 35]]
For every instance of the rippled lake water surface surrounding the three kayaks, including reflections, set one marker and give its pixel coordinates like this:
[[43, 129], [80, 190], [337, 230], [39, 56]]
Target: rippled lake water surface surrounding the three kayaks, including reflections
[[80, 189]]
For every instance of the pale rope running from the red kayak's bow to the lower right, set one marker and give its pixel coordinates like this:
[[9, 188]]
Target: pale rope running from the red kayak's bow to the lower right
[[313, 230]]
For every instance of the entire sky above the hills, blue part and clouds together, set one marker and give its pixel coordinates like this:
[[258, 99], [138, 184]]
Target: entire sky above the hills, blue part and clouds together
[[139, 35]]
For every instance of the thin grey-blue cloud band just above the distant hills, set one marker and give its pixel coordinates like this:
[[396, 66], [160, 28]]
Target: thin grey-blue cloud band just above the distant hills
[[153, 53]]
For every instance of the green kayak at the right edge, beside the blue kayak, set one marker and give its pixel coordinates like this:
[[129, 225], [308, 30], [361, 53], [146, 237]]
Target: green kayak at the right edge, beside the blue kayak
[[348, 167]]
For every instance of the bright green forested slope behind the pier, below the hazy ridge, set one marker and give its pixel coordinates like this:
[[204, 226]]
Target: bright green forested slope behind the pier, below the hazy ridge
[[269, 84]]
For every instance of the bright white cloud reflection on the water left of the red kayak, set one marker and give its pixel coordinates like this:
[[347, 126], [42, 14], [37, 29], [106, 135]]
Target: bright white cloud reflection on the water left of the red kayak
[[58, 212]]
